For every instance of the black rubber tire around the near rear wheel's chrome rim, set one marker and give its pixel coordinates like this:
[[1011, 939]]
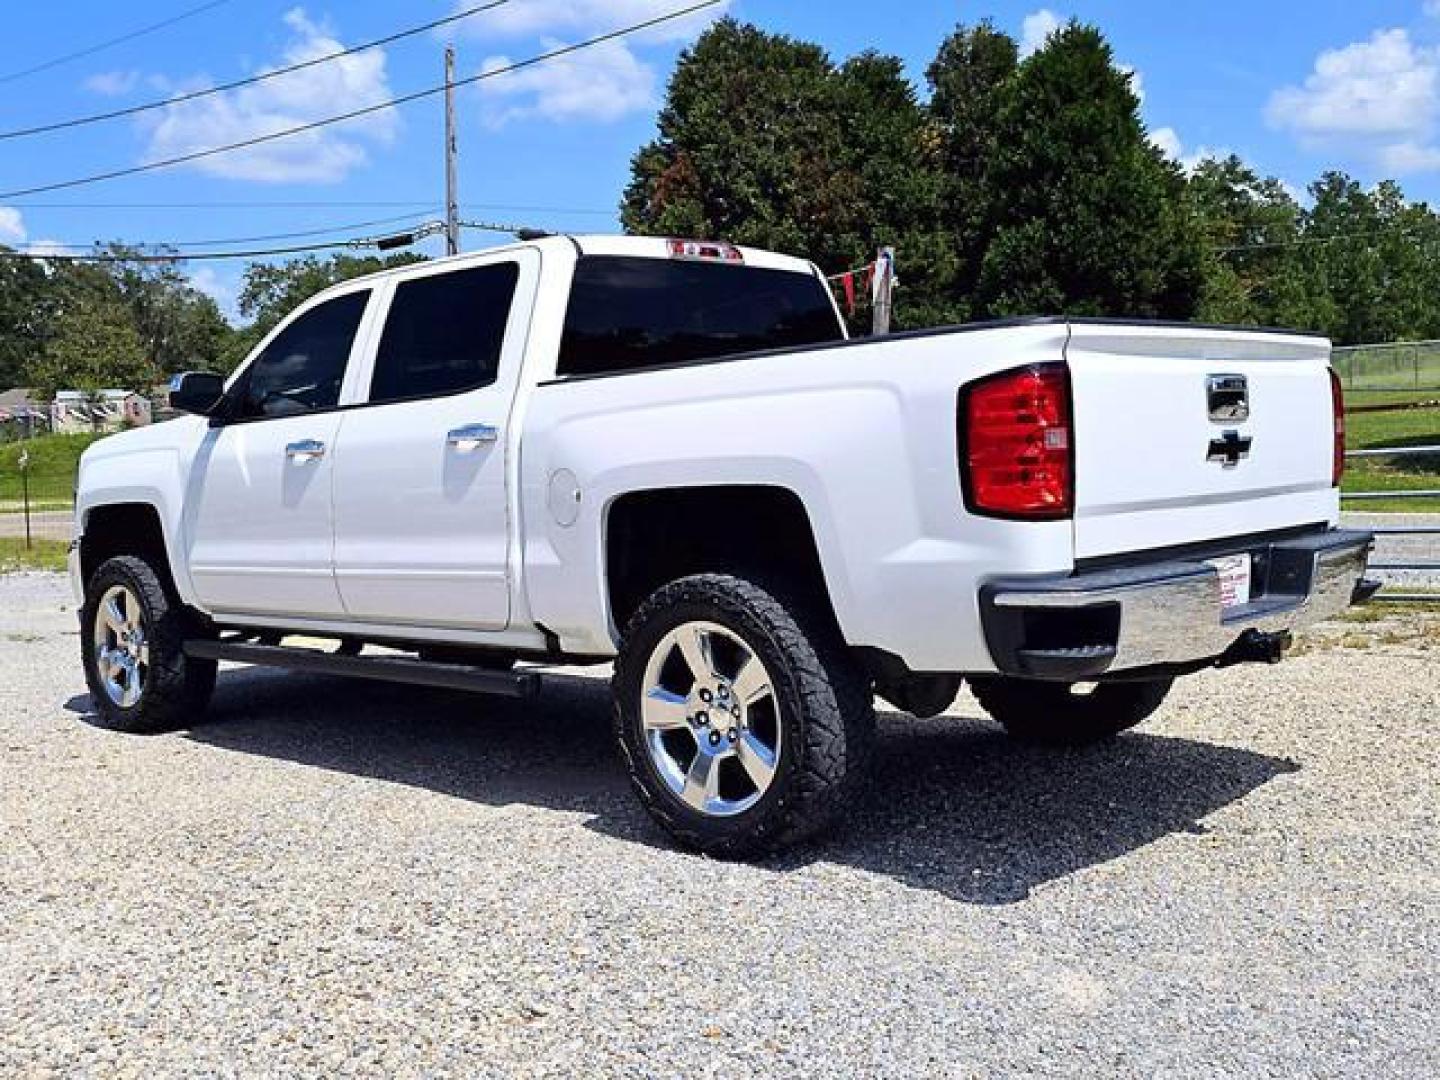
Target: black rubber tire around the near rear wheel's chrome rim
[[822, 698]]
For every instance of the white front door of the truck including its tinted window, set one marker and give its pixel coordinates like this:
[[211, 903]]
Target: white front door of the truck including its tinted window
[[258, 512]]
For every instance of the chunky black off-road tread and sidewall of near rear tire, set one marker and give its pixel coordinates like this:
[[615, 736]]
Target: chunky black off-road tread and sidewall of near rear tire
[[836, 716]]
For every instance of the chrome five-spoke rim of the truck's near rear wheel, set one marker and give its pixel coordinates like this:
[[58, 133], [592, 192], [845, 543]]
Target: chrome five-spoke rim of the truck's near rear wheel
[[711, 719]]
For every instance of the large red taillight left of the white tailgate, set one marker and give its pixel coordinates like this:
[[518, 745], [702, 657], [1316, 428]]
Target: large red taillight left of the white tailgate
[[1016, 444]]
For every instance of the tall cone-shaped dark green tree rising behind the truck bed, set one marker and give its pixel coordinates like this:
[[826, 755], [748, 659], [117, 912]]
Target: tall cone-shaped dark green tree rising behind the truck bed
[[1089, 218]]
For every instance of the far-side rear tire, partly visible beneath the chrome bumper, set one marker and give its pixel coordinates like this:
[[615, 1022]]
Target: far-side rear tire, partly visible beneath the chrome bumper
[[1059, 715]]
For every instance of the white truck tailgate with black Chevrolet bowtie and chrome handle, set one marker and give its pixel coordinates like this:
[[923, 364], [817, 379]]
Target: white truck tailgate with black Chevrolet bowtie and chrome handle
[[1154, 469]]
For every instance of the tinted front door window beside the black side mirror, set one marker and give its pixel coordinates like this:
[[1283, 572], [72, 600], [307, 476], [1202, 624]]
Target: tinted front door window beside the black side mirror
[[305, 368]]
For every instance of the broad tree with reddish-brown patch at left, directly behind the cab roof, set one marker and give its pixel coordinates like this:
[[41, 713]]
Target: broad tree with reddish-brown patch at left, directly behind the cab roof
[[765, 142]]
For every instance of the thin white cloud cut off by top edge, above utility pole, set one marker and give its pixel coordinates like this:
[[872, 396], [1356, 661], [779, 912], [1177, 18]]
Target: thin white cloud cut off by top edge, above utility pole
[[584, 19]]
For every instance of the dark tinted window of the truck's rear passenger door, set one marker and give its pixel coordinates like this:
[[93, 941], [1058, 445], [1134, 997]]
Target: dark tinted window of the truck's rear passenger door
[[444, 333]]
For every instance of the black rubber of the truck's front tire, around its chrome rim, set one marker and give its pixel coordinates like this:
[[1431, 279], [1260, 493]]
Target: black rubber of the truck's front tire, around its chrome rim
[[175, 689]]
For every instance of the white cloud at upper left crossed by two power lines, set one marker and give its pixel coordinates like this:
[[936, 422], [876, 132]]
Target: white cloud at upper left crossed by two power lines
[[322, 156]]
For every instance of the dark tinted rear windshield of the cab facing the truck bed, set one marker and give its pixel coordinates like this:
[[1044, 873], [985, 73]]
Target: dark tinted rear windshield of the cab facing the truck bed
[[634, 313]]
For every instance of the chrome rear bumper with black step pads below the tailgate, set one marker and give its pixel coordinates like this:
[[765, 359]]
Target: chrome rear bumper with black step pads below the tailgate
[[1169, 614]]
